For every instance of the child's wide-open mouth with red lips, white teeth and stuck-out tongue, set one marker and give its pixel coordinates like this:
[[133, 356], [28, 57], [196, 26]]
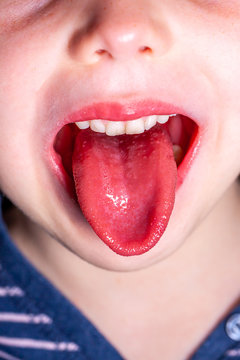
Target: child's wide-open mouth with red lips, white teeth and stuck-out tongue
[[123, 169]]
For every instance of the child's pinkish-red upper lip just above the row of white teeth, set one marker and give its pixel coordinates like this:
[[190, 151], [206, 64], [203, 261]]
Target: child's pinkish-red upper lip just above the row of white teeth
[[122, 110]]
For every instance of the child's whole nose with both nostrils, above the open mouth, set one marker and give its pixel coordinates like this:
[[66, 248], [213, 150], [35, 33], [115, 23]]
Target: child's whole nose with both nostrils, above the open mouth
[[121, 30]]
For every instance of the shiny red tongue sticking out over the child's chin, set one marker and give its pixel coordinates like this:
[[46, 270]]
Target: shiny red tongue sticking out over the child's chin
[[126, 186]]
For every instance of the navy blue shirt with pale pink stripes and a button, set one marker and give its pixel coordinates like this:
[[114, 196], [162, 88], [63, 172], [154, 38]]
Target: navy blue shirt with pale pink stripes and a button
[[38, 323]]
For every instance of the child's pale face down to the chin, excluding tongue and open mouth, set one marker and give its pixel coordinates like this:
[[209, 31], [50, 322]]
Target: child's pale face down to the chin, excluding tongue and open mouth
[[57, 57]]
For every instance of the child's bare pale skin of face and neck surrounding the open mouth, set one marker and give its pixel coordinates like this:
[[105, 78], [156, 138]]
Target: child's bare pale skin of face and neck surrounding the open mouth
[[49, 66]]
